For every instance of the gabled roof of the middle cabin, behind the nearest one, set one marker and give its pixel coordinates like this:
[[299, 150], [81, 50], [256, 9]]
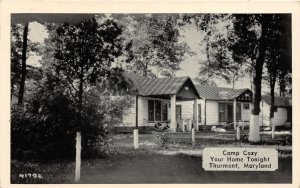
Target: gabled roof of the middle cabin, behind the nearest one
[[219, 93]]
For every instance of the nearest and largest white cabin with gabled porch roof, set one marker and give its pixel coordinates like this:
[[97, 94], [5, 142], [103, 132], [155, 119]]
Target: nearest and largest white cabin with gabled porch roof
[[156, 101]]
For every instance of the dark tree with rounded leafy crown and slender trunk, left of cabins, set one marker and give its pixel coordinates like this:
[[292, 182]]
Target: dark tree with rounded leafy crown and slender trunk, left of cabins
[[83, 55]]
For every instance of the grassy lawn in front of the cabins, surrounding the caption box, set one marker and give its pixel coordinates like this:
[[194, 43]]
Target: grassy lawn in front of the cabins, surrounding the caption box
[[161, 158]]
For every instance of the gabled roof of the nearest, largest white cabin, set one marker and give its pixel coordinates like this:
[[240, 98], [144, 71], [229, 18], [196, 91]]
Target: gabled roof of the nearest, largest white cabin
[[157, 86]]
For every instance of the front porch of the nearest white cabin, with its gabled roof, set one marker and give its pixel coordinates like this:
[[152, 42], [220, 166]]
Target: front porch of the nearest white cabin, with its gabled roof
[[157, 106]]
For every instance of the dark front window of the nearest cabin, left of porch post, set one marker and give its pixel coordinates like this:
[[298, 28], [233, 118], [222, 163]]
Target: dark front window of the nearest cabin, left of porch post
[[157, 110]]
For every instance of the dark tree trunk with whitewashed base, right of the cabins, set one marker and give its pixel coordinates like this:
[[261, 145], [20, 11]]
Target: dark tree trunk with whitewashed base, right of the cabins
[[260, 58]]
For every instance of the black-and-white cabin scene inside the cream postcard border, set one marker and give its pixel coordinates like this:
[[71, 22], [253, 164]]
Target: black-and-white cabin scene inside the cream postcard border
[[151, 98]]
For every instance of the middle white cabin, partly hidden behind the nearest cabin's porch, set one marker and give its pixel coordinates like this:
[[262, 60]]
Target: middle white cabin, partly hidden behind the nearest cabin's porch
[[219, 106]]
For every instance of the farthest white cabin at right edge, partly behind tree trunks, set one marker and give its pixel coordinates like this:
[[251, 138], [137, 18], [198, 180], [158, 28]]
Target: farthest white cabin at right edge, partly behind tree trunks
[[282, 111]]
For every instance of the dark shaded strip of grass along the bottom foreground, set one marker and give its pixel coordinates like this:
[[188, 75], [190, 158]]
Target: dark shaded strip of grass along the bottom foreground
[[144, 167]]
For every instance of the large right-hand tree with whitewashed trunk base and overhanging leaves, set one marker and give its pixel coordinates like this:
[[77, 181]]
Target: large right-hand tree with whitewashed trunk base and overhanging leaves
[[250, 40]]
